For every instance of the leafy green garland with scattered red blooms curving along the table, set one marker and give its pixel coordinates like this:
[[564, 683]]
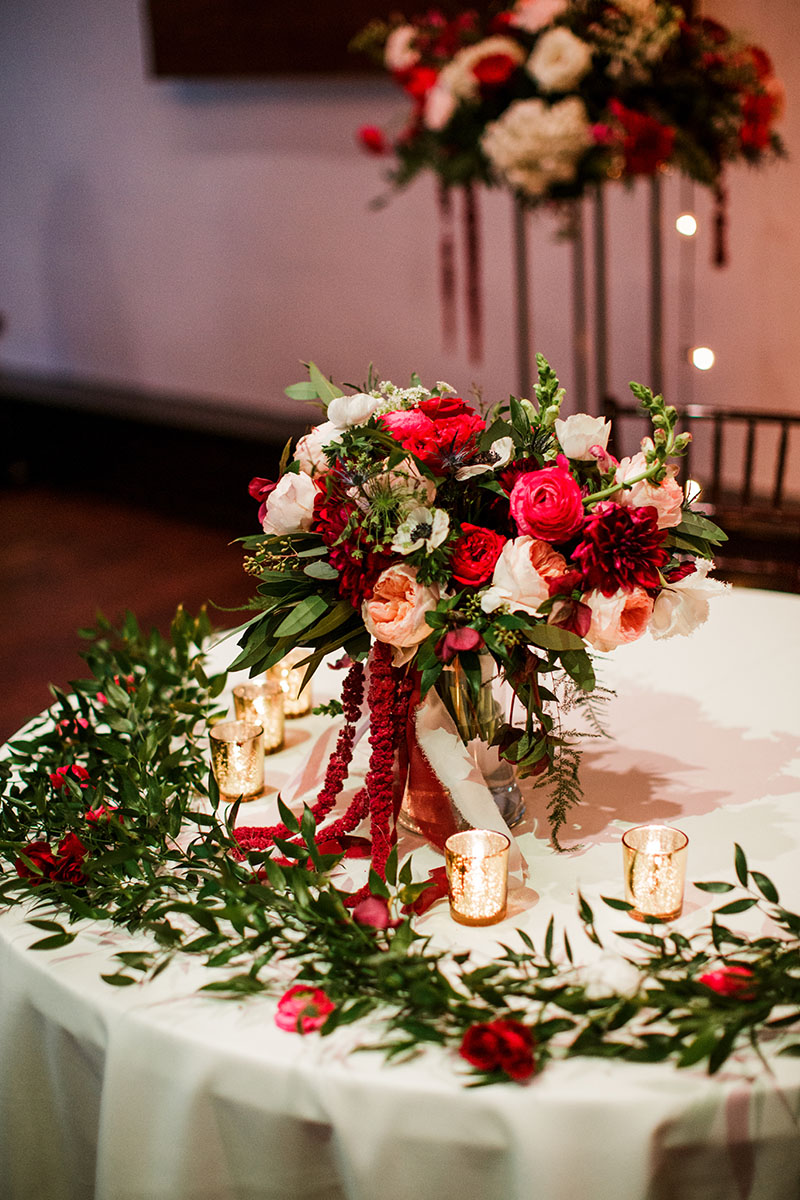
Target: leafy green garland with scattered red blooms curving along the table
[[159, 859]]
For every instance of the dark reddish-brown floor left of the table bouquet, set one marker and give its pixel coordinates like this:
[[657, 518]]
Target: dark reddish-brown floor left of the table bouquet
[[65, 556]]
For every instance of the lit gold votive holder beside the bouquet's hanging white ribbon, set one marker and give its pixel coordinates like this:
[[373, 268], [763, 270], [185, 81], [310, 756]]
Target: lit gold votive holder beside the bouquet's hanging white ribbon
[[478, 877]]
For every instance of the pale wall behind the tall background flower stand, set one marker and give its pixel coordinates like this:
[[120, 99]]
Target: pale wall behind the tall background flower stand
[[204, 238]]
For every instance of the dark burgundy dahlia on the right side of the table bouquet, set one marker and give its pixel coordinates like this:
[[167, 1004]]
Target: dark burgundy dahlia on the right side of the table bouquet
[[622, 549]]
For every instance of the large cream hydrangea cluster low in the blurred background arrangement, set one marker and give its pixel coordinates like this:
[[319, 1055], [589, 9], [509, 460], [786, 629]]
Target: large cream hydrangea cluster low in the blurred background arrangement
[[536, 145]]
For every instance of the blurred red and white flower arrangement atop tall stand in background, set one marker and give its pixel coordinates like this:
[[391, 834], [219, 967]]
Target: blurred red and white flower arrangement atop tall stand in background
[[551, 97]]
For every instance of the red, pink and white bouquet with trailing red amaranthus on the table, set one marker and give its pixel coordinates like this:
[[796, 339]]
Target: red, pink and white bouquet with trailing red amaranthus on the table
[[442, 545]]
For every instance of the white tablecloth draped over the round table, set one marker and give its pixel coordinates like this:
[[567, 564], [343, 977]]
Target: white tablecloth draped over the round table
[[155, 1094]]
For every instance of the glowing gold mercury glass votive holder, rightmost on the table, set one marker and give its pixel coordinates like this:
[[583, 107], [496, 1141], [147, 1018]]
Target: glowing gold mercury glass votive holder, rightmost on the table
[[654, 860]]
